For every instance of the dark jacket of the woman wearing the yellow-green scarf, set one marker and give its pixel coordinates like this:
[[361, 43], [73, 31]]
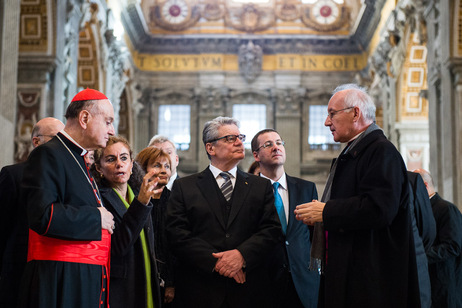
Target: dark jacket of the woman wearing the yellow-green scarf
[[128, 278]]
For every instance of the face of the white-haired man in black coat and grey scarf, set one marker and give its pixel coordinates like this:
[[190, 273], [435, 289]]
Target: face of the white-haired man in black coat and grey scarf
[[340, 118]]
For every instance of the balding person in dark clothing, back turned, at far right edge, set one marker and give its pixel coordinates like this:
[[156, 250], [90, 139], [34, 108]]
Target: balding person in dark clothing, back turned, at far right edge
[[445, 255]]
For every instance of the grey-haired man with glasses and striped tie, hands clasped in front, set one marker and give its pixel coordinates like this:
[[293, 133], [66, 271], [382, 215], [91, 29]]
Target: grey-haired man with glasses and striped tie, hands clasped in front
[[221, 224]]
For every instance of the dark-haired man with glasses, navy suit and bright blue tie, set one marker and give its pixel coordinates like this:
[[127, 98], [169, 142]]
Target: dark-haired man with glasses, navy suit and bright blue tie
[[293, 284]]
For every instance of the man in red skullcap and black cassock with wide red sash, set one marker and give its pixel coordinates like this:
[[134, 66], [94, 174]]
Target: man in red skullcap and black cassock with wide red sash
[[69, 236]]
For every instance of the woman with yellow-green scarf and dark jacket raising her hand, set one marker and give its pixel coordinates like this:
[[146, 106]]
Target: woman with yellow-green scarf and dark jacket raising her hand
[[126, 193]]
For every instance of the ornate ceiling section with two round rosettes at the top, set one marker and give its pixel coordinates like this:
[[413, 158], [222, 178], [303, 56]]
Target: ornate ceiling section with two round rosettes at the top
[[179, 15]]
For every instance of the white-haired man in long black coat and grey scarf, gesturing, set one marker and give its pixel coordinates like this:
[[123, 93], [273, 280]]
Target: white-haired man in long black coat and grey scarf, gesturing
[[365, 210]]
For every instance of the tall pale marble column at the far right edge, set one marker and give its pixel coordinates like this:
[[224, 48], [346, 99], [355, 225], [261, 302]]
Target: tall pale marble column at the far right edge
[[445, 162]]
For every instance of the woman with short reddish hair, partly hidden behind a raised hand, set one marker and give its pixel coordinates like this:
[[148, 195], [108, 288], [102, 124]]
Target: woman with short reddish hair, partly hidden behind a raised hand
[[154, 159]]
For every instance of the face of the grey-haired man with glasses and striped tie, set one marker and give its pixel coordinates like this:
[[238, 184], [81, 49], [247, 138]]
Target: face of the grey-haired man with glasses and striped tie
[[227, 152]]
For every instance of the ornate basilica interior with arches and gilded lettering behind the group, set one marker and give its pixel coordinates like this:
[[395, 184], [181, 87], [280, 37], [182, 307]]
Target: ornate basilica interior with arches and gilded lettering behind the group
[[169, 66]]
